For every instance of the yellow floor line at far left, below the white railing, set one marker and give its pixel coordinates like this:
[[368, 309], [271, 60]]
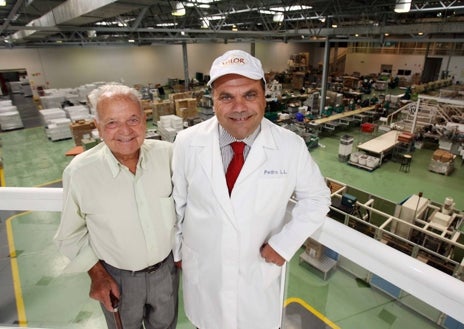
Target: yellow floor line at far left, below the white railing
[[22, 322]]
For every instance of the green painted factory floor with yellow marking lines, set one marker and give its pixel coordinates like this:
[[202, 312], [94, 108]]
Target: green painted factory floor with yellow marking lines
[[39, 295]]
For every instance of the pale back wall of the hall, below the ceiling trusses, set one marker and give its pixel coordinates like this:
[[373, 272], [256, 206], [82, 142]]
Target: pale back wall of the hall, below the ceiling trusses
[[72, 67]]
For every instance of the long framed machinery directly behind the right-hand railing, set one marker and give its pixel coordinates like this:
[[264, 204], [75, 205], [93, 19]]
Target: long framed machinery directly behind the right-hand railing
[[426, 230]]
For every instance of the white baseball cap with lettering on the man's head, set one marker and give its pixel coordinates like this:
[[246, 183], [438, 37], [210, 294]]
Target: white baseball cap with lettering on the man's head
[[236, 62]]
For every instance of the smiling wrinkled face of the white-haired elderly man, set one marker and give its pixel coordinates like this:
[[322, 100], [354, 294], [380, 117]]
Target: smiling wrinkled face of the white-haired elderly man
[[122, 125]]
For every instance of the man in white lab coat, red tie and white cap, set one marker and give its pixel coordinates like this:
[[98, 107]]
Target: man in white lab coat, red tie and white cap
[[232, 245]]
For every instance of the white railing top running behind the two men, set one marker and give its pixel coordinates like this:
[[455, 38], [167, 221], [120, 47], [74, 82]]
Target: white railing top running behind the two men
[[432, 286]]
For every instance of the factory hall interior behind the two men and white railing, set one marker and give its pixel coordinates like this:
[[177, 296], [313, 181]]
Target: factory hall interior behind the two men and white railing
[[373, 87]]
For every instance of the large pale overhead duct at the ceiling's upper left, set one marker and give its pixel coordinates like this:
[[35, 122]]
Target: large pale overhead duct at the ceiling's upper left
[[78, 12]]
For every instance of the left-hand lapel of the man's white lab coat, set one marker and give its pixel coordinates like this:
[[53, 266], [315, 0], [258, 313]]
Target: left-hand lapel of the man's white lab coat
[[211, 163]]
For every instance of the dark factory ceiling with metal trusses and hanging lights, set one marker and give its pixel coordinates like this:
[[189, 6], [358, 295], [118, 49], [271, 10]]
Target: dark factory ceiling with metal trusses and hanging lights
[[59, 23]]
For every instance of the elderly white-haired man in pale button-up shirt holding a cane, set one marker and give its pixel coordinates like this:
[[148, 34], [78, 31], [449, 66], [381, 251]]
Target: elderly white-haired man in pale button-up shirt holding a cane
[[118, 215]]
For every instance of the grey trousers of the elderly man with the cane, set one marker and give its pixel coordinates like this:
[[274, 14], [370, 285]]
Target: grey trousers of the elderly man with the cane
[[148, 299]]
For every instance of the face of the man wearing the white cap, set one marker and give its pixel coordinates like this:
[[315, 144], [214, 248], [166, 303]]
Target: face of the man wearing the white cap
[[239, 104]]
